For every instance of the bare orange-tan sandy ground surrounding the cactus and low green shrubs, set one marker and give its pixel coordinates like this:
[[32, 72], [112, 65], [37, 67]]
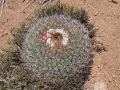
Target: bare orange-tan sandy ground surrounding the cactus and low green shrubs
[[106, 17]]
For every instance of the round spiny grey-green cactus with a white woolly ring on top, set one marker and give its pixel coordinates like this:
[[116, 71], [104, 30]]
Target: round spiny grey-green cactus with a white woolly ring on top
[[62, 58]]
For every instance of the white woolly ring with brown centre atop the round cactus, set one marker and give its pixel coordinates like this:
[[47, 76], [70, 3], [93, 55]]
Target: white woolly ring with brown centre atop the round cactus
[[57, 39]]
